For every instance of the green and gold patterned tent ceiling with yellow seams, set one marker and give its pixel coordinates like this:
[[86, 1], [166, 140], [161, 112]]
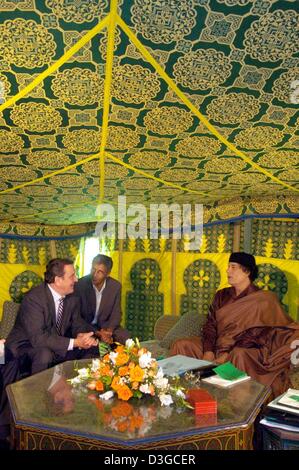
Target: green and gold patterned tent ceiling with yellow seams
[[158, 100]]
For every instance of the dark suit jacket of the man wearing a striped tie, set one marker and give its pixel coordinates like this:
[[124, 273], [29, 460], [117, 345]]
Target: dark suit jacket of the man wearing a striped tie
[[36, 322]]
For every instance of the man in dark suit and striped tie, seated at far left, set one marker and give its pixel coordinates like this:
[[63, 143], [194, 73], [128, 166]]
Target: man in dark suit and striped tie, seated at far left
[[49, 328]]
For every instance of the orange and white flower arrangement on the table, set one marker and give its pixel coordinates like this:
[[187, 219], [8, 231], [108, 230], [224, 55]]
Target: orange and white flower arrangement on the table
[[130, 372]]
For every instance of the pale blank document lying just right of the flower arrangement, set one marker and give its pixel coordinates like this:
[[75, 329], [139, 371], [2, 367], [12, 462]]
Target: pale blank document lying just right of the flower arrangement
[[178, 365]]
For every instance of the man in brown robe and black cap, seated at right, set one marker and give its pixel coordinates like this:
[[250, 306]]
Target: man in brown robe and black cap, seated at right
[[246, 326]]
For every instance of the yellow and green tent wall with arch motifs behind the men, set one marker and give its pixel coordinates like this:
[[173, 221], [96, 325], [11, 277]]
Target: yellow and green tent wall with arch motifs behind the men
[[160, 277]]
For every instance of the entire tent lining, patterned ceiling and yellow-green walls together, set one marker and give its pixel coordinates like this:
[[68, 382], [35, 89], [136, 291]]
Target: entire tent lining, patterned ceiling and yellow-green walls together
[[187, 102]]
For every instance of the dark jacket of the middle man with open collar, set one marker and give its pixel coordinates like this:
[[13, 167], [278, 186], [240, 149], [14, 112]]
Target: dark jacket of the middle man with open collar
[[110, 310]]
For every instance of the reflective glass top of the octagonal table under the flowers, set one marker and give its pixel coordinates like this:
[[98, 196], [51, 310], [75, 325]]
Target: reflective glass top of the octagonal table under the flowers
[[48, 401]]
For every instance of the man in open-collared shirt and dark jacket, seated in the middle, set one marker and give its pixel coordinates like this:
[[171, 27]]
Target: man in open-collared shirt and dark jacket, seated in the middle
[[100, 297]]
